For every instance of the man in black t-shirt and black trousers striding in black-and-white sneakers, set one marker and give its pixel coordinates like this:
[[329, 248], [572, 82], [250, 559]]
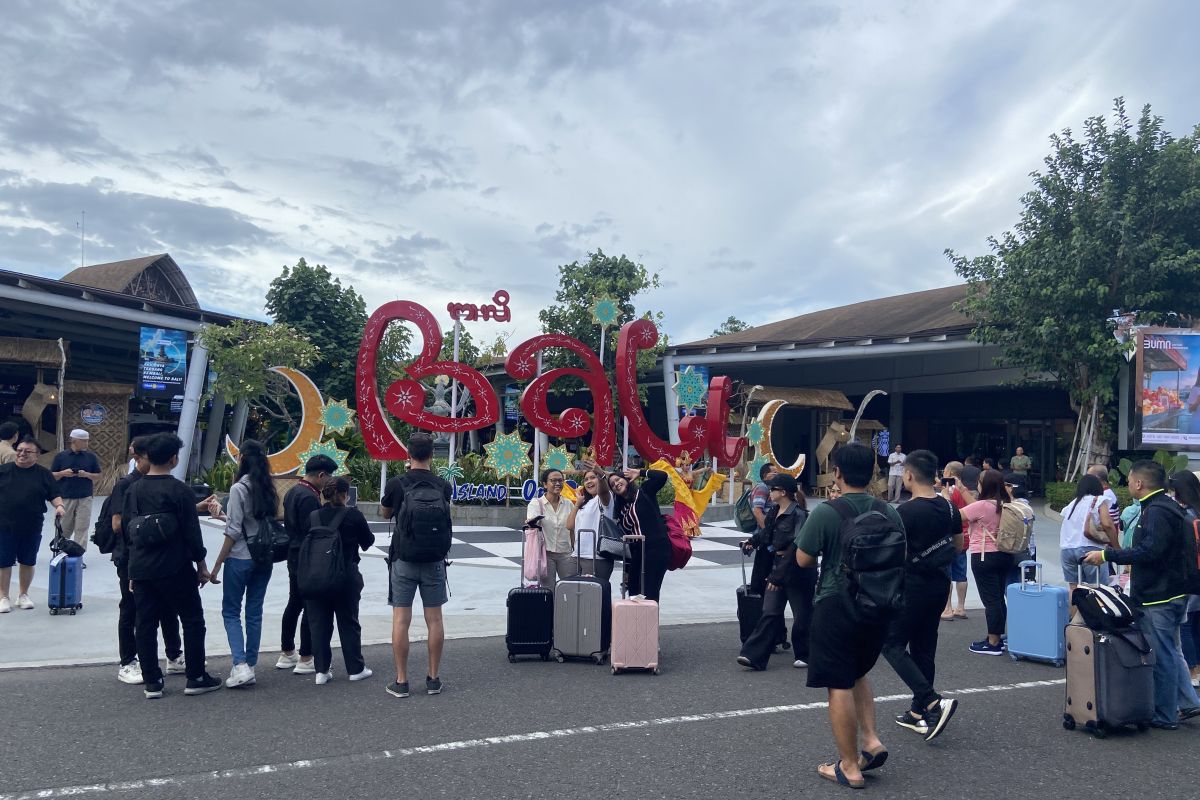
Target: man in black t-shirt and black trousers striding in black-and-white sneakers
[[934, 531]]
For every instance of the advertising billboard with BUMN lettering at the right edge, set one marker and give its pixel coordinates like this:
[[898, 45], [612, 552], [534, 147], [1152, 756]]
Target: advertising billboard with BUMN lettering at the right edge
[[1168, 396]]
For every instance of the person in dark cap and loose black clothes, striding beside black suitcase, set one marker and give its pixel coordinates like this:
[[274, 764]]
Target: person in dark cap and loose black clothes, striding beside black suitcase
[[788, 584]]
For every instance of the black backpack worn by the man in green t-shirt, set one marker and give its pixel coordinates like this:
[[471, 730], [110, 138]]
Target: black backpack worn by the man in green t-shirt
[[874, 554]]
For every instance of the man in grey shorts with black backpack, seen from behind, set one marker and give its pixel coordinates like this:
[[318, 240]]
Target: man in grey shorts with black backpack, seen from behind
[[421, 503]]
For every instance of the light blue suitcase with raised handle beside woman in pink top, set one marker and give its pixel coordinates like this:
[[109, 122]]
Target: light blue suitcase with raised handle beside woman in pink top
[[1037, 618]]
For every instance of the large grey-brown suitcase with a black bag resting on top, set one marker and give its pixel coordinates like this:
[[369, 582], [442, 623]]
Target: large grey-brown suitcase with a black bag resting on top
[[1111, 679]]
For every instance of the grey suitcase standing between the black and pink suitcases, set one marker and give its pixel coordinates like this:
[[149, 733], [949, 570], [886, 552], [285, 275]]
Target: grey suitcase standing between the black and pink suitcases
[[583, 612]]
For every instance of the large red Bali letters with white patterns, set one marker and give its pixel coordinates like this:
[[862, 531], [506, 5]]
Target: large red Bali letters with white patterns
[[405, 399]]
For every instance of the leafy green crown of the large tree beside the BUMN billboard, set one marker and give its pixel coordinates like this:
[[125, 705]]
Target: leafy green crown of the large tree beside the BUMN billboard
[[1113, 222]]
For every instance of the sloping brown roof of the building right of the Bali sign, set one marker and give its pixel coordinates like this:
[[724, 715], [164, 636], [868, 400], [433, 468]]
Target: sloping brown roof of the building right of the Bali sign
[[919, 314]]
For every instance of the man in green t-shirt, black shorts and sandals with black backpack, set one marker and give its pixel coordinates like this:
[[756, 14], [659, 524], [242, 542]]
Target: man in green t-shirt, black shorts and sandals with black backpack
[[861, 543]]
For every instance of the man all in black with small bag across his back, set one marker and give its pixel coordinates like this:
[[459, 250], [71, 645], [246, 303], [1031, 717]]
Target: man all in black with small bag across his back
[[167, 566]]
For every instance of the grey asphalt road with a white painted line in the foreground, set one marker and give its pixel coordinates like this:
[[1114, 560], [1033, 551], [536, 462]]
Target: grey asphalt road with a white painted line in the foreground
[[704, 729]]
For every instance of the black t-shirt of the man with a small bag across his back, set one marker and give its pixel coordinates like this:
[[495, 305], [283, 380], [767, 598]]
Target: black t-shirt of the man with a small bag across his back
[[170, 496]]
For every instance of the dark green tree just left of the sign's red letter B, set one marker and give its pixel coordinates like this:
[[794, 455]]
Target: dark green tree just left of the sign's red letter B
[[313, 302]]
